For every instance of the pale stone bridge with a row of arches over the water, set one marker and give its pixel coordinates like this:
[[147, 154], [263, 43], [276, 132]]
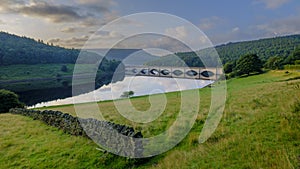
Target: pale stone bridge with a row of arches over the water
[[175, 72]]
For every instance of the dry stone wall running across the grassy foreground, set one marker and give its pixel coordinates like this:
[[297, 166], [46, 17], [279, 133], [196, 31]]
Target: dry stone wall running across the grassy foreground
[[120, 139]]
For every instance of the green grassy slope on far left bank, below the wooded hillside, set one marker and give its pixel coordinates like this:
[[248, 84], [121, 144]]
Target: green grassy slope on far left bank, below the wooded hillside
[[19, 78]]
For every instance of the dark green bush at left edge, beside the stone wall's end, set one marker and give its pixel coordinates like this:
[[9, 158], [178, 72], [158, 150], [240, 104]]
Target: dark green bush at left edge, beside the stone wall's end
[[9, 100]]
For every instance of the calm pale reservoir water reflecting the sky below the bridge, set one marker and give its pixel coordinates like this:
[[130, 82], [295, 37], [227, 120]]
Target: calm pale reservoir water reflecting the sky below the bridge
[[140, 85]]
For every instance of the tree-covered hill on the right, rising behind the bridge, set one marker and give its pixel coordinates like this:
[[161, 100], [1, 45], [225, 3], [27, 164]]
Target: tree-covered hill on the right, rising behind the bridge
[[264, 48]]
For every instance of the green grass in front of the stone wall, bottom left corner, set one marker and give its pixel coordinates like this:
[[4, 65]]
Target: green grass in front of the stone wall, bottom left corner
[[25, 143]]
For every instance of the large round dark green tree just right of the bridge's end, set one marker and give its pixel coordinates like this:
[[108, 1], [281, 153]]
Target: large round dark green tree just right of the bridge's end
[[248, 64]]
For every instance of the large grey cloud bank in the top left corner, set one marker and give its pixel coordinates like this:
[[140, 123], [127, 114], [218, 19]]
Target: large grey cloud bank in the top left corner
[[88, 13]]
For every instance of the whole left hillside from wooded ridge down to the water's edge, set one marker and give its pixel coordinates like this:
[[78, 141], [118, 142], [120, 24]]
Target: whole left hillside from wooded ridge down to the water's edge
[[53, 63]]
